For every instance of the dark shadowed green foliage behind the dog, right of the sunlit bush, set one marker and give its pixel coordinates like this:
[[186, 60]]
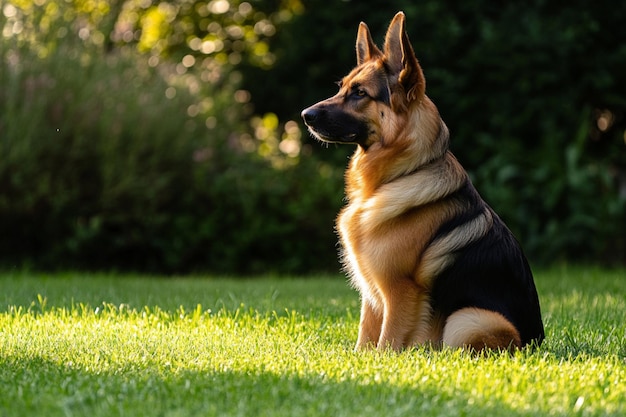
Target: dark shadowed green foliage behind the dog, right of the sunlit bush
[[532, 92]]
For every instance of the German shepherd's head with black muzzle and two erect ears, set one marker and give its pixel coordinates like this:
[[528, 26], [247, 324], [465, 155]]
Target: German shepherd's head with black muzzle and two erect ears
[[374, 99]]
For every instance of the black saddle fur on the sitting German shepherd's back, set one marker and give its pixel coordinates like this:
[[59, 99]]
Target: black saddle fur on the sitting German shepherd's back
[[491, 273]]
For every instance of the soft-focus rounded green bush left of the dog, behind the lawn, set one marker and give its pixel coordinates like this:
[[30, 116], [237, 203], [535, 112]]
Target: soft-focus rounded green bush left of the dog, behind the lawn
[[107, 162]]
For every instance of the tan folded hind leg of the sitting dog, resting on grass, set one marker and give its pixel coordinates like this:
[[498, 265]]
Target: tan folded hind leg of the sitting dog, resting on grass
[[480, 329]]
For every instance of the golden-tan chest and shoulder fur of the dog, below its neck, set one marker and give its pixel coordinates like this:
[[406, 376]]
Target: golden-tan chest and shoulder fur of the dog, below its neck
[[386, 232]]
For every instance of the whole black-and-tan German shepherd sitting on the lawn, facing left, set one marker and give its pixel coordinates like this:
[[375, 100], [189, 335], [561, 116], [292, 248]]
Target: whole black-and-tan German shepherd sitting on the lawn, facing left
[[432, 261]]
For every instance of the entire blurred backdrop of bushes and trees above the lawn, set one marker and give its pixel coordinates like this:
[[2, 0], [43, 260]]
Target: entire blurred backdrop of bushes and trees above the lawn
[[164, 136]]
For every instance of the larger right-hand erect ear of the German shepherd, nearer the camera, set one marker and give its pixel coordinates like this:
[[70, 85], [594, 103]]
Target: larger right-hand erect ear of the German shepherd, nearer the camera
[[401, 59]]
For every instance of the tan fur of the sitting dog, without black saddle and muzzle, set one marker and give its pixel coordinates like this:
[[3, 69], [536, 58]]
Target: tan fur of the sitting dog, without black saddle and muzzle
[[396, 186]]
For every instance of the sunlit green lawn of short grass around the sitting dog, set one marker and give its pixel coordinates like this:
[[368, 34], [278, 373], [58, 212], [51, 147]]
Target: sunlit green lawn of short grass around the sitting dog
[[99, 345]]
